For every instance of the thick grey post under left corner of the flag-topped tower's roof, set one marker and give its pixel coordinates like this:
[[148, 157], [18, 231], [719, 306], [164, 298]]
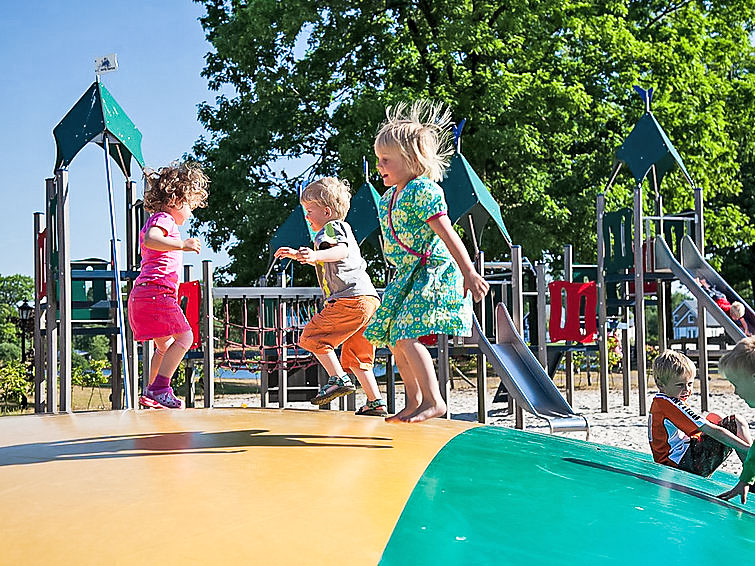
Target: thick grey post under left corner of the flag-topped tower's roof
[[64, 282]]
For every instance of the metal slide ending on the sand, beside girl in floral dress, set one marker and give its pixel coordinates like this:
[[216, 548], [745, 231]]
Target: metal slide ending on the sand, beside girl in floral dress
[[524, 377]]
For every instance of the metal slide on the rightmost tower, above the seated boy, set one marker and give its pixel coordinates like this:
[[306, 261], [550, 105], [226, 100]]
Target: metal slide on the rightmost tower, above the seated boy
[[693, 266]]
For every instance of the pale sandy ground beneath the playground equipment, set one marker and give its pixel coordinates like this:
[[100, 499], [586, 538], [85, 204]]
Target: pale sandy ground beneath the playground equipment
[[621, 426]]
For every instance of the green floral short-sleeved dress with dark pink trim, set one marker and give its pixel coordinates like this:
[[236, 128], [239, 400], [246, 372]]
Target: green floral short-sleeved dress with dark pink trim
[[425, 297]]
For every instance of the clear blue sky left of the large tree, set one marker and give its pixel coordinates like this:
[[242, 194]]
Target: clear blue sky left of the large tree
[[47, 52]]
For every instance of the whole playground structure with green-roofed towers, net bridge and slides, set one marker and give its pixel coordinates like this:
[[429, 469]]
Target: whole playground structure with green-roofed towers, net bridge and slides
[[257, 328]]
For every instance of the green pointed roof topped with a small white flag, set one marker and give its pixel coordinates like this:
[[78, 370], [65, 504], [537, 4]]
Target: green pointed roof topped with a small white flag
[[94, 115]]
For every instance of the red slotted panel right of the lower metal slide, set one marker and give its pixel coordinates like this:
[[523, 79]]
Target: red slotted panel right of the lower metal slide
[[571, 329]]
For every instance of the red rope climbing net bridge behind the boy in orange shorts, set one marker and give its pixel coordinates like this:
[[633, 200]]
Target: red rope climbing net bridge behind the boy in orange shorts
[[262, 333]]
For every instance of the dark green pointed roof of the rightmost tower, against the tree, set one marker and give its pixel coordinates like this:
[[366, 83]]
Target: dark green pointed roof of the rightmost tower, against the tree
[[648, 145]]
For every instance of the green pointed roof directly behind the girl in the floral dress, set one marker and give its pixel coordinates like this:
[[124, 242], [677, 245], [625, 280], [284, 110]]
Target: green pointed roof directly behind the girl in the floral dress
[[466, 194]]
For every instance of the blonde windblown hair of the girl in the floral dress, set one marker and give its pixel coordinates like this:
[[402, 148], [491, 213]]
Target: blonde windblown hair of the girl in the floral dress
[[420, 134]]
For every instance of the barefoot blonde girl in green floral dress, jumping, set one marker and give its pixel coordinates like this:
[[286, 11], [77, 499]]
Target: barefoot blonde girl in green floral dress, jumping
[[434, 274]]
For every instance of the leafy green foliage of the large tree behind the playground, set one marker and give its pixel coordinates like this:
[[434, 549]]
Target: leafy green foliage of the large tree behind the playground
[[546, 87]]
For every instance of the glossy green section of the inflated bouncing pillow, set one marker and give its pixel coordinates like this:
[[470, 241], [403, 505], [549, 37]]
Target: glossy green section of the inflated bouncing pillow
[[501, 496]]
